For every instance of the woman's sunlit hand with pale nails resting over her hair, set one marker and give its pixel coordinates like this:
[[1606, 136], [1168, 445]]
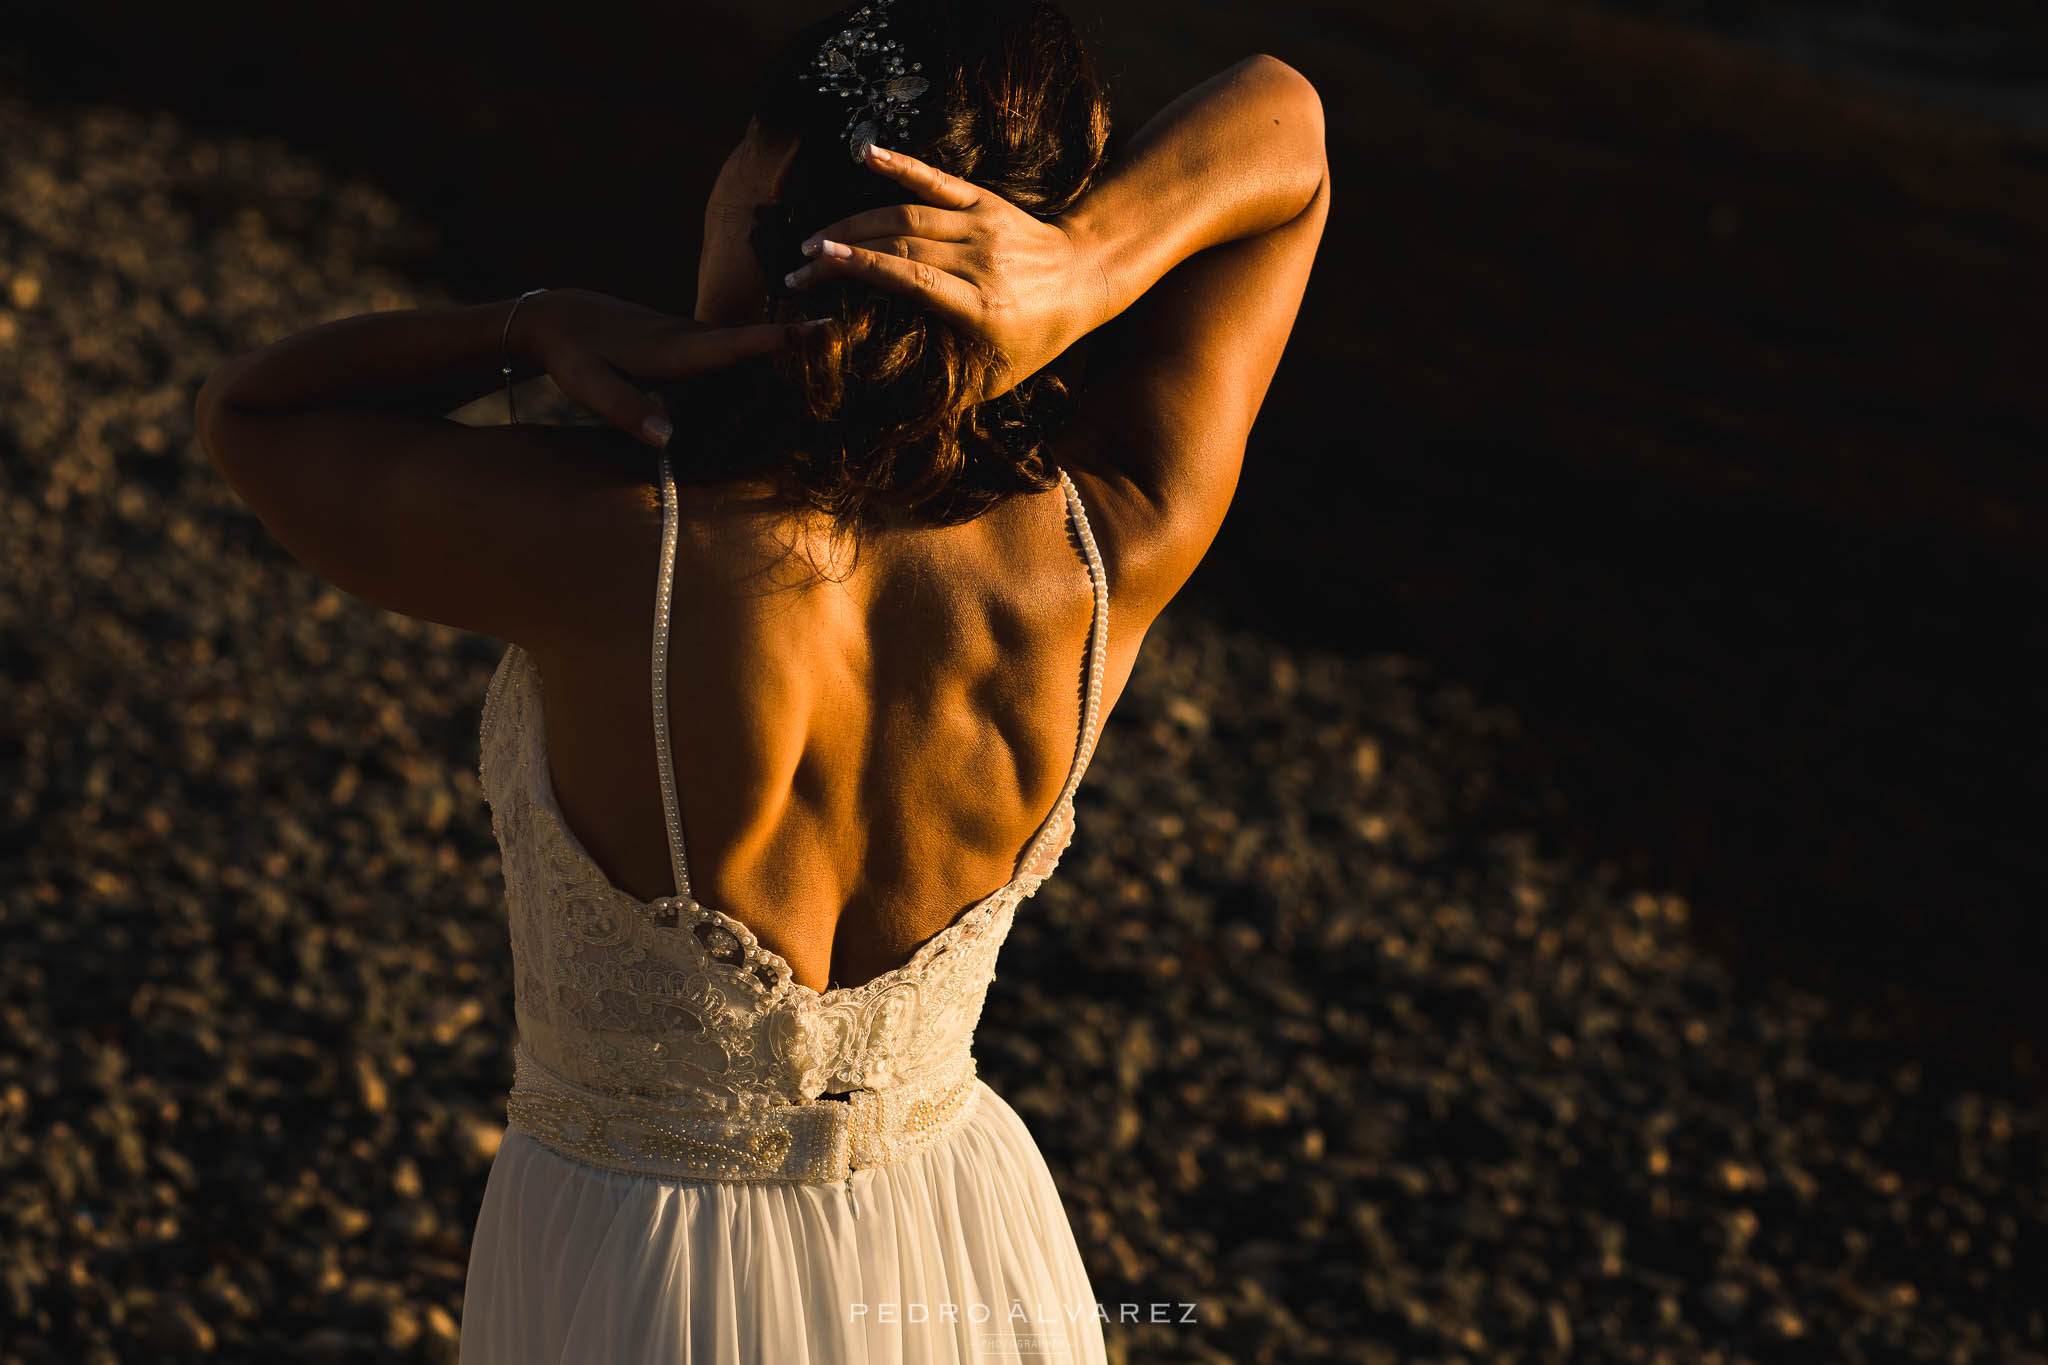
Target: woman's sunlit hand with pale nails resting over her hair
[[972, 257]]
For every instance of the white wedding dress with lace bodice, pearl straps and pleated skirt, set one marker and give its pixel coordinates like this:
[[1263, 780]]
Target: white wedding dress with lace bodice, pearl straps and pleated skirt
[[712, 1163]]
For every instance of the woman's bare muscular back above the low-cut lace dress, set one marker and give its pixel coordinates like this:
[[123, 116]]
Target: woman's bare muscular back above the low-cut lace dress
[[859, 760]]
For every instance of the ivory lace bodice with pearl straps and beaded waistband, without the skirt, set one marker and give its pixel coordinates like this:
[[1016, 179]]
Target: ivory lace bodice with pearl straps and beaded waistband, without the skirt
[[663, 1037]]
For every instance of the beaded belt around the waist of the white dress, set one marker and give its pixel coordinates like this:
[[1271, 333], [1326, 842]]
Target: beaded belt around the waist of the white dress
[[695, 1141]]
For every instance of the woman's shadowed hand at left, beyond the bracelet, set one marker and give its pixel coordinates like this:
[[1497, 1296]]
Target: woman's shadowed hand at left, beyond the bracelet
[[603, 353]]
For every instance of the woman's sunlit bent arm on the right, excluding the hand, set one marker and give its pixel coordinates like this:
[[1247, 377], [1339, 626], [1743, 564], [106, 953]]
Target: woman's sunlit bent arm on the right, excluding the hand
[[1207, 230]]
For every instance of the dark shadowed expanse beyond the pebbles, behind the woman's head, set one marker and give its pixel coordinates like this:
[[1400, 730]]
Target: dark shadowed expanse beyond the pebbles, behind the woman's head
[[1680, 398]]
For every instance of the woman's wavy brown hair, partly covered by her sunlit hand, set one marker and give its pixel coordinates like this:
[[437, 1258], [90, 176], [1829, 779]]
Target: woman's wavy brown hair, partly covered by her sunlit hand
[[880, 410]]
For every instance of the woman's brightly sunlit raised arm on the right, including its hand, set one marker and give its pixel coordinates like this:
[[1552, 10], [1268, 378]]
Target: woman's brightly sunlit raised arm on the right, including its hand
[[1191, 253]]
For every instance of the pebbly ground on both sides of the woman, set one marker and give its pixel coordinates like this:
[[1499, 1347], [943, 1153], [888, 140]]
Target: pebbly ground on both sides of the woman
[[1312, 1030]]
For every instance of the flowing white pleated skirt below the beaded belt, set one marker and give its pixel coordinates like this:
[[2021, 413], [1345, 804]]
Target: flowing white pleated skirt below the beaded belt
[[962, 1253]]
